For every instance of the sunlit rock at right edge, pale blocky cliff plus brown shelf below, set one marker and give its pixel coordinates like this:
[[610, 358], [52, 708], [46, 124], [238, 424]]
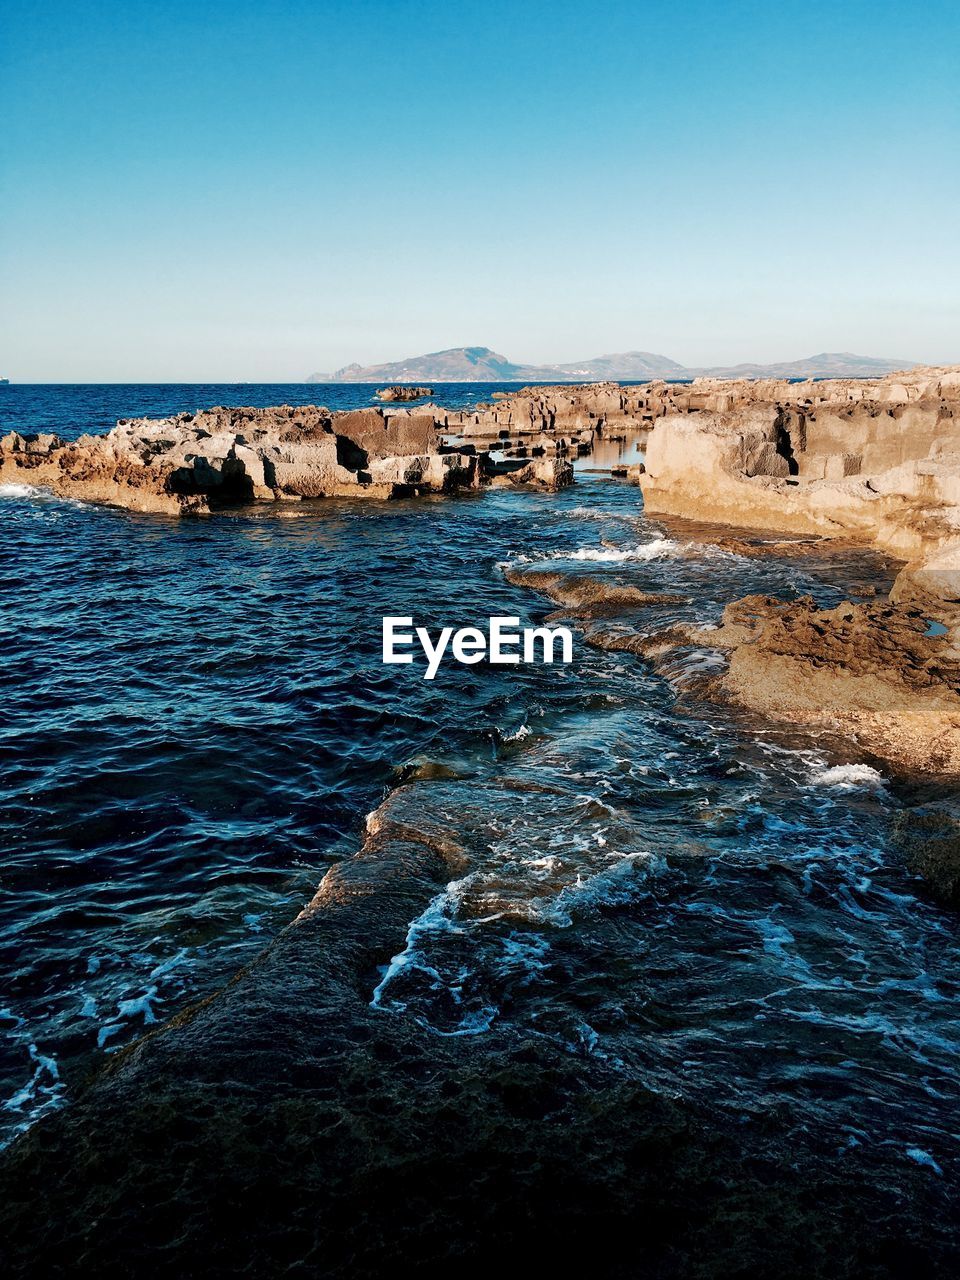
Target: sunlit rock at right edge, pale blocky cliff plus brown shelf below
[[867, 463]]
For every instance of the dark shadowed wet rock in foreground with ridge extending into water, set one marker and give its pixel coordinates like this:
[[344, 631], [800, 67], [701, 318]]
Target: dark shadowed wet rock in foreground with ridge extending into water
[[292, 1124]]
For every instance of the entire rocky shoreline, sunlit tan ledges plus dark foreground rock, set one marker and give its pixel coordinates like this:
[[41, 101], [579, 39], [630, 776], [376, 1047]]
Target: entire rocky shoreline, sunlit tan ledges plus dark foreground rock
[[333, 1131]]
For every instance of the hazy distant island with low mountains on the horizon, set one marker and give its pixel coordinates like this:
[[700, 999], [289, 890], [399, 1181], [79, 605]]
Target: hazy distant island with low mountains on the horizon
[[483, 365]]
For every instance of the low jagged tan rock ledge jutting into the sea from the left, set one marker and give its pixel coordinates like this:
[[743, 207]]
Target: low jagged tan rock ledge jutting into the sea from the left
[[198, 463]]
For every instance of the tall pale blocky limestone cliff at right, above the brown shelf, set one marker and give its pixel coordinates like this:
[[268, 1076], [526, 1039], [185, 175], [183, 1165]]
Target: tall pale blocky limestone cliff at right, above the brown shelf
[[877, 461]]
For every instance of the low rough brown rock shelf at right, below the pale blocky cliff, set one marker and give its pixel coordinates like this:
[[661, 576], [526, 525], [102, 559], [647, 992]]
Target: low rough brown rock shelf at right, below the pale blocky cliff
[[871, 673]]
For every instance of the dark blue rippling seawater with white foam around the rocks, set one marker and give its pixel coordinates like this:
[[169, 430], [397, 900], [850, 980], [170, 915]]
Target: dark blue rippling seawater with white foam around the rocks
[[196, 723]]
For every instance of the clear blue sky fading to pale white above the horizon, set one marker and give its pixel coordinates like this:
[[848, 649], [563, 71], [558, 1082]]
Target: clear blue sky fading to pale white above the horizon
[[262, 190]]
